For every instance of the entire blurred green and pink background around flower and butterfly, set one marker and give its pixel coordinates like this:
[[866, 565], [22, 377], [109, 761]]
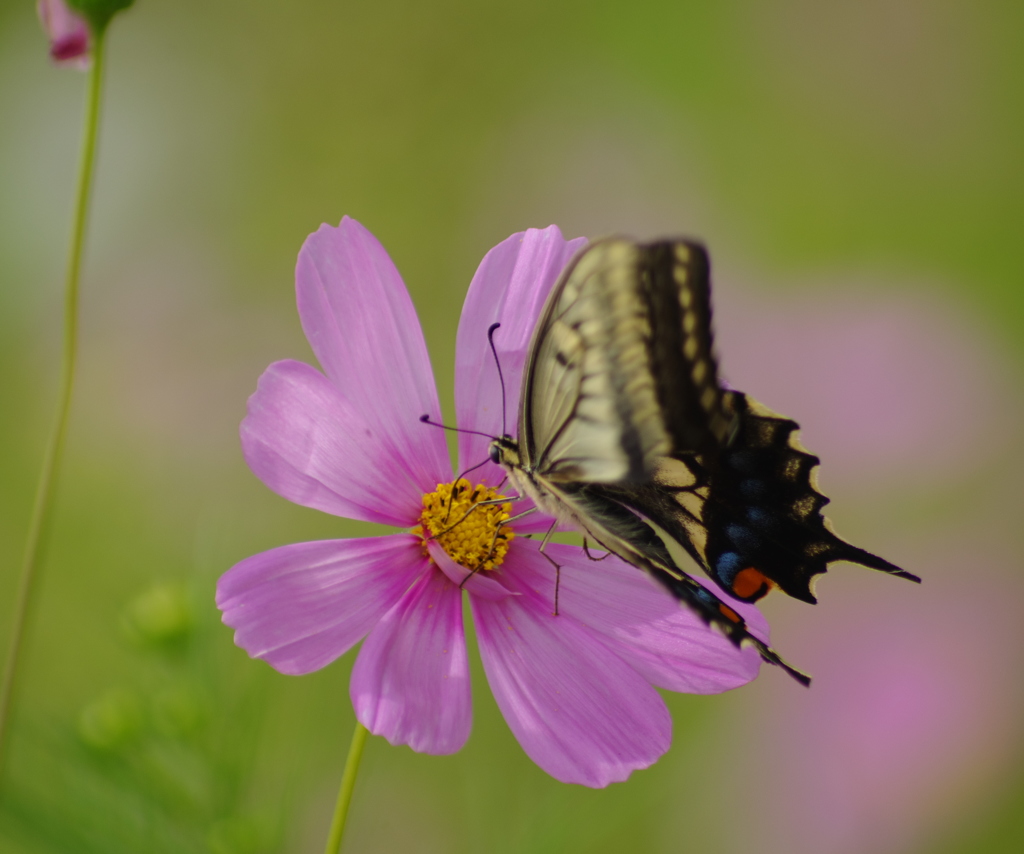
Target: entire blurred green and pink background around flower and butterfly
[[857, 172]]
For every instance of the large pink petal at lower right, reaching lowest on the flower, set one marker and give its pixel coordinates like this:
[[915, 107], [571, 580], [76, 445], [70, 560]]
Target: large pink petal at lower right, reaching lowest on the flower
[[580, 711]]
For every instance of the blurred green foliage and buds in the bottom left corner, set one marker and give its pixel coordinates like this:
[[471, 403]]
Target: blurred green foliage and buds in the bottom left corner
[[152, 765]]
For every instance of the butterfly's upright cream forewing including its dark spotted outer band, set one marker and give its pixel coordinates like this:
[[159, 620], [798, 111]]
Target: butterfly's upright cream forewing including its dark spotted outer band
[[621, 370]]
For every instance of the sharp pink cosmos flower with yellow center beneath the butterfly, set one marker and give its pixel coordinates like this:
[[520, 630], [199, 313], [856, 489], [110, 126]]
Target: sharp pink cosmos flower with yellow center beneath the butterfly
[[578, 689]]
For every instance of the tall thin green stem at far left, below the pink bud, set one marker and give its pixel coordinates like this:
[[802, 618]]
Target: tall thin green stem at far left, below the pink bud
[[42, 509]]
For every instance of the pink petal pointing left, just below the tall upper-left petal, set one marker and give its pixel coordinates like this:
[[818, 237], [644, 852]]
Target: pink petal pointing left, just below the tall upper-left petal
[[309, 445]]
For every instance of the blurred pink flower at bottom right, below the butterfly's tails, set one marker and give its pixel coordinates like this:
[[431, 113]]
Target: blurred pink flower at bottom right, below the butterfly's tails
[[914, 719]]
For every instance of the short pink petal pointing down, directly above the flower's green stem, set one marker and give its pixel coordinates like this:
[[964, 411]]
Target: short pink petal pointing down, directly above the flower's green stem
[[411, 680]]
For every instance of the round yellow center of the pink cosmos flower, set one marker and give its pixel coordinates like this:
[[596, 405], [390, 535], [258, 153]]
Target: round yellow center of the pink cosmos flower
[[474, 534]]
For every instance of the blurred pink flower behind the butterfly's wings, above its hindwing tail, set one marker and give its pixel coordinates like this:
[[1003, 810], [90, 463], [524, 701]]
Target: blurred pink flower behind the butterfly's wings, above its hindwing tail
[[885, 386]]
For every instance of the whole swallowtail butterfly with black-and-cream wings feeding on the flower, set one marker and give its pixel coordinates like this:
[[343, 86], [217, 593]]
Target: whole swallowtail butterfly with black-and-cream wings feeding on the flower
[[626, 435]]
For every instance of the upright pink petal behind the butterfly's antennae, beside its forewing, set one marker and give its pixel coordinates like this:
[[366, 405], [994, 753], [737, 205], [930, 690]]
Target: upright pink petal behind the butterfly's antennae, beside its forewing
[[510, 287]]
